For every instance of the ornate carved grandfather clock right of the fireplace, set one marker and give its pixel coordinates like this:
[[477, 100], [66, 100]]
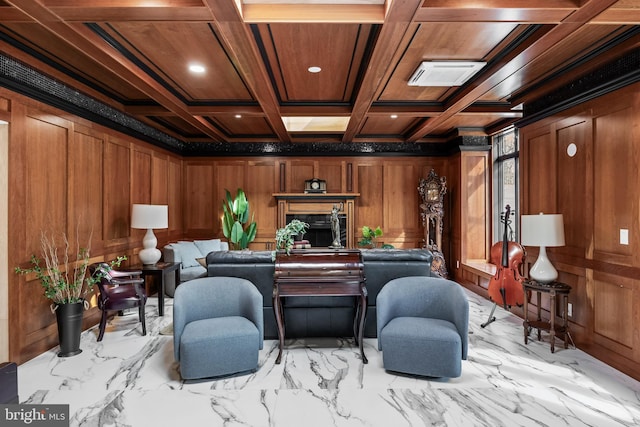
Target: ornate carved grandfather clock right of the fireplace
[[432, 191]]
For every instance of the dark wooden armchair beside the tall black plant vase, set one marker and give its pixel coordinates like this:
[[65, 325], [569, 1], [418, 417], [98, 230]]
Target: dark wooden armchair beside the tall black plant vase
[[119, 290]]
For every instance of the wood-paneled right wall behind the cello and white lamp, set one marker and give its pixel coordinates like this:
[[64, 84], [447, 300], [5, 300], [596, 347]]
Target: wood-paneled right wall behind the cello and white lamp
[[595, 190]]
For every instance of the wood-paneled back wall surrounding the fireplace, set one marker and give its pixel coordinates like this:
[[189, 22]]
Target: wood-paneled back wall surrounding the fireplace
[[387, 189]]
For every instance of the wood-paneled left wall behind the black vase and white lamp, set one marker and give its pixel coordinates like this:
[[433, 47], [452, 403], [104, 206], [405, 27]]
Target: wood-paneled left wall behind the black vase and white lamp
[[70, 176]]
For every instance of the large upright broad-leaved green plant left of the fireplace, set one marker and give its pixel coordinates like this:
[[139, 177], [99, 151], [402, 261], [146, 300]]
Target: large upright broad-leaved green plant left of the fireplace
[[234, 219]]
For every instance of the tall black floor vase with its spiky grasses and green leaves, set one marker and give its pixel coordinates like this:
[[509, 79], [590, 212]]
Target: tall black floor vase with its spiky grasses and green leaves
[[65, 282]]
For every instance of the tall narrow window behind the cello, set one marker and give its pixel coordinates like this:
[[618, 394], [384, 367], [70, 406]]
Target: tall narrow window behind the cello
[[505, 182]]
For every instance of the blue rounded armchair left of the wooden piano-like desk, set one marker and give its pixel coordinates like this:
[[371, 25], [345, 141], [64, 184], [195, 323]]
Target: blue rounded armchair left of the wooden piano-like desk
[[217, 327]]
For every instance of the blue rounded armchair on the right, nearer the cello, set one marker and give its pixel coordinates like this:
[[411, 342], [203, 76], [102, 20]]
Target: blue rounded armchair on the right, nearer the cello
[[423, 323]]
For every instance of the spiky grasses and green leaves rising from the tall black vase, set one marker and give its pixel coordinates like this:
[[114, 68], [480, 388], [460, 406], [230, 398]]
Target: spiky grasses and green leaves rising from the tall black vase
[[64, 281]]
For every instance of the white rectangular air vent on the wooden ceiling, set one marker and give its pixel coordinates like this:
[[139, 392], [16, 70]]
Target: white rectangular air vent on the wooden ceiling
[[444, 73]]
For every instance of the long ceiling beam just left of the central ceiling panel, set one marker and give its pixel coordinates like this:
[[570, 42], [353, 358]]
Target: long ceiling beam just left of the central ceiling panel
[[241, 47]]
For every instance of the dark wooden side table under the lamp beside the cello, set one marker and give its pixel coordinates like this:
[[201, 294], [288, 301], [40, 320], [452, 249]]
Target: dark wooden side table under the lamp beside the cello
[[553, 289]]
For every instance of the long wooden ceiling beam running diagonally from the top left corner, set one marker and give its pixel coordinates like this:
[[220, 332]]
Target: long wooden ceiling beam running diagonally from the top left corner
[[95, 48]]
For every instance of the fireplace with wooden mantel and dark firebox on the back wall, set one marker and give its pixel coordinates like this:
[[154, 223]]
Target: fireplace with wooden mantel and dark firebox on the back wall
[[315, 209]]
